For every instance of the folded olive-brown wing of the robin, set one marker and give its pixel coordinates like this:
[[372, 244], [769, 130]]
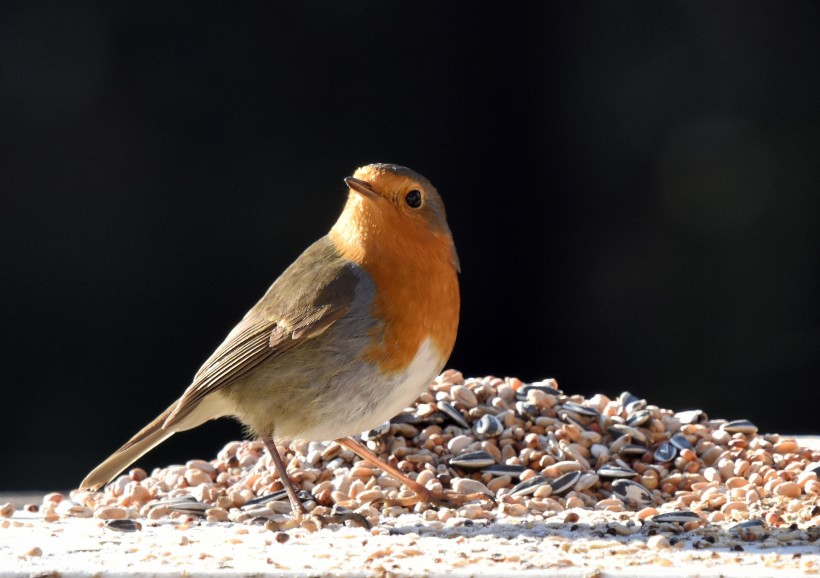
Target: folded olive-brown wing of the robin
[[313, 293]]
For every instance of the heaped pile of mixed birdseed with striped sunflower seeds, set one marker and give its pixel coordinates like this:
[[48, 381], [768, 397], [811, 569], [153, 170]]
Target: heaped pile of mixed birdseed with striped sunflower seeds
[[614, 468]]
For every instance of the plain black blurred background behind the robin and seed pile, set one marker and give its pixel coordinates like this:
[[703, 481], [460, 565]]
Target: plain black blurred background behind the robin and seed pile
[[633, 189]]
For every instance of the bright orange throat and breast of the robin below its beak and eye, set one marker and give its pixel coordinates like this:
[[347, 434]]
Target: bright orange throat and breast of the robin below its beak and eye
[[415, 277]]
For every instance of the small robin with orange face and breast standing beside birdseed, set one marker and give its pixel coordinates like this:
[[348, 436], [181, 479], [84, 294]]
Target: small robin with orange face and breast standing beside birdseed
[[348, 336]]
